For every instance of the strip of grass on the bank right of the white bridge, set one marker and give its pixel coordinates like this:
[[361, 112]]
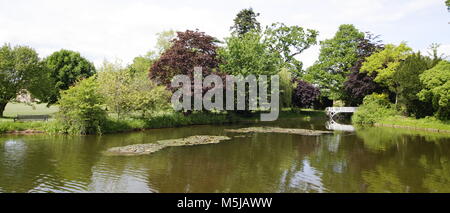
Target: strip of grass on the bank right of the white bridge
[[423, 123]]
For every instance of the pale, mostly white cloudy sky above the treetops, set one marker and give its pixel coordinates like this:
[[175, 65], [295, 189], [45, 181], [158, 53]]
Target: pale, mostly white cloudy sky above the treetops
[[123, 29]]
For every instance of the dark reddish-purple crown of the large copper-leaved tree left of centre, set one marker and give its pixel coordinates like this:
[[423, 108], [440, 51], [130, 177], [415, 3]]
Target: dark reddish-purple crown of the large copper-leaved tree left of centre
[[189, 49]]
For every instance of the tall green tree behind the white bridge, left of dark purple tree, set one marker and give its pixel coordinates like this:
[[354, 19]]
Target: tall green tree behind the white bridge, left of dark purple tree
[[337, 56]]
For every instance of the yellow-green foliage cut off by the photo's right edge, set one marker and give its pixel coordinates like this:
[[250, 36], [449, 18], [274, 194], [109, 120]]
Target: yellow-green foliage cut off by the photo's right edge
[[436, 83]]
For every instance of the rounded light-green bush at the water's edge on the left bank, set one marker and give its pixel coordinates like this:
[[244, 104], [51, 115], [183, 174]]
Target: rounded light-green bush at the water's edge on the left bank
[[82, 109]]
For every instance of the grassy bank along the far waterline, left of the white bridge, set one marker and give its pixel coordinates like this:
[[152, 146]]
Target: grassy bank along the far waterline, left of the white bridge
[[161, 120]]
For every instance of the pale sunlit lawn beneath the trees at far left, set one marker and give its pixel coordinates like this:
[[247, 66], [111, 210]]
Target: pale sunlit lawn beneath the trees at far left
[[14, 109]]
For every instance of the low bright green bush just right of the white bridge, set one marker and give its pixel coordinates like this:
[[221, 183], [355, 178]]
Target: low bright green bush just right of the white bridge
[[375, 107]]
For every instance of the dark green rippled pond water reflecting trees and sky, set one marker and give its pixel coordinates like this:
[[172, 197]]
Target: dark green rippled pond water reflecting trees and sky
[[369, 160]]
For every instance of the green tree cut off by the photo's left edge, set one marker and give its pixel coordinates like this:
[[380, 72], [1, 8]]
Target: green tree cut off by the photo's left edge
[[20, 68]]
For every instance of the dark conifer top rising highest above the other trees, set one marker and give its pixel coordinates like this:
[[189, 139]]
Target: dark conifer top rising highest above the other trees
[[245, 22]]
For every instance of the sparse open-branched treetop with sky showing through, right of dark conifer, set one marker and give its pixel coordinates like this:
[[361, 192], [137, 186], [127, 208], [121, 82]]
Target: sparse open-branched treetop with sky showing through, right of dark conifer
[[290, 41]]
